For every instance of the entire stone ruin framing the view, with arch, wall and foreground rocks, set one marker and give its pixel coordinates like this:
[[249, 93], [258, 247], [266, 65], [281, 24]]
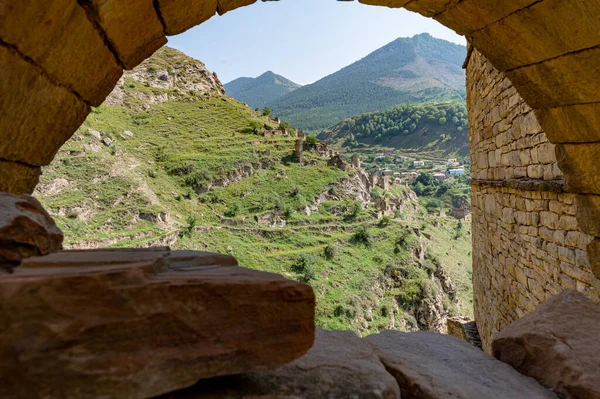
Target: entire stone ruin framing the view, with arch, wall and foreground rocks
[[533, 86]]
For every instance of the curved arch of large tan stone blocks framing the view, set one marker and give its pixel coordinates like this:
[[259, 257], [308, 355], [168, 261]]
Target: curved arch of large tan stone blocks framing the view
[[60, 58]]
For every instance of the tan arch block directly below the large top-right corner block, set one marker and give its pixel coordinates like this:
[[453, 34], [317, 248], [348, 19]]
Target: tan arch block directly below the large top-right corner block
[[558, 82]]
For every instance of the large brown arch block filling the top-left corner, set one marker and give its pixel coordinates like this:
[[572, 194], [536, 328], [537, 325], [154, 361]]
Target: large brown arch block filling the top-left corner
[[57, 35]]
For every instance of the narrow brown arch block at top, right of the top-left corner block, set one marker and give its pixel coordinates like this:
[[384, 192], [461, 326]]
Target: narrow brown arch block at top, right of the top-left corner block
[[132, 26]]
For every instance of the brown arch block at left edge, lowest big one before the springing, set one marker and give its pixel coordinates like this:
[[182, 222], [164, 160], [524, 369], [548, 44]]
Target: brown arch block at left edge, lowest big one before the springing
[[38, 116]]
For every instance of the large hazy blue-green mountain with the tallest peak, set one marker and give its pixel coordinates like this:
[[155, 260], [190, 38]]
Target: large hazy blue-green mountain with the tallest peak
[[408, 70]]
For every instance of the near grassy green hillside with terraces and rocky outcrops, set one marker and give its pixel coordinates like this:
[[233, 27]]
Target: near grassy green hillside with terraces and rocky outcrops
[[170, 160]]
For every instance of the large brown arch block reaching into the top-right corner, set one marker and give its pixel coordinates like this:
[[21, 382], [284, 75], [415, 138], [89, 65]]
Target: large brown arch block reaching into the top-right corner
[[567, 26]]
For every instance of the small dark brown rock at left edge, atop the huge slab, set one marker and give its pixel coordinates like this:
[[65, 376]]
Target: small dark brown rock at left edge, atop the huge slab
[[26, 229]]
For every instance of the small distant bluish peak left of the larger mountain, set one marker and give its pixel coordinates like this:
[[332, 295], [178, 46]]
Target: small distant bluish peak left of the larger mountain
[[258, 92]]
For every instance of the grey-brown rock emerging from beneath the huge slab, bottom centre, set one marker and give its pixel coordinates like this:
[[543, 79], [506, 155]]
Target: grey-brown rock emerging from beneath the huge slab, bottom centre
[[340, 365]]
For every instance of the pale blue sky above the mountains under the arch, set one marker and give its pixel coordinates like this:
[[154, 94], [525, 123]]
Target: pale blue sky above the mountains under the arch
[[303, 40]]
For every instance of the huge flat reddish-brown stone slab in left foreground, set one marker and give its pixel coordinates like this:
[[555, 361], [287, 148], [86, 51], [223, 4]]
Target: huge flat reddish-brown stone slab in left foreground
[[140, 323]]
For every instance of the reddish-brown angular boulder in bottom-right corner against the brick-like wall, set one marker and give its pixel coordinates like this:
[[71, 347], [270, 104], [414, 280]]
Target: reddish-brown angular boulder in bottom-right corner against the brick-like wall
[[557, 345]]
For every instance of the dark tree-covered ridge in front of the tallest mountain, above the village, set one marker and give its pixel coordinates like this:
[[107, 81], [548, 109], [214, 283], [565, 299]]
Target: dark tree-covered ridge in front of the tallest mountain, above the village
[[424, 127]]
